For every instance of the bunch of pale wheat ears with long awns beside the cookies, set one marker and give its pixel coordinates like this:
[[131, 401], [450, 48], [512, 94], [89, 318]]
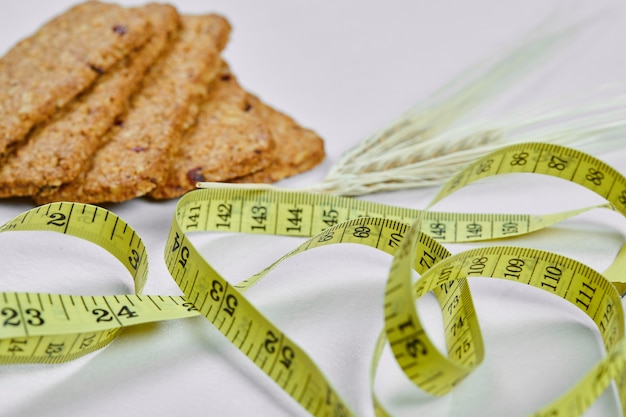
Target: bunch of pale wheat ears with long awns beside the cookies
[[430, 142]]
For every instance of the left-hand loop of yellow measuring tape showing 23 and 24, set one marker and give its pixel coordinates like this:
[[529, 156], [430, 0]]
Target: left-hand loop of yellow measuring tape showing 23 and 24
[[52, 328]]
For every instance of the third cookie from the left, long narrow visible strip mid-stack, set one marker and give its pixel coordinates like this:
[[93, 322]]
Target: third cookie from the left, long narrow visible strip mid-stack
[[131, 162]]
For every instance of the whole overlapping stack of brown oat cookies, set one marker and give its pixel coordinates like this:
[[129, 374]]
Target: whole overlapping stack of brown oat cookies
[[106, 103]]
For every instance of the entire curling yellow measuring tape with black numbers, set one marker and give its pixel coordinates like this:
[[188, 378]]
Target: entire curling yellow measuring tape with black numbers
[[51, 328]]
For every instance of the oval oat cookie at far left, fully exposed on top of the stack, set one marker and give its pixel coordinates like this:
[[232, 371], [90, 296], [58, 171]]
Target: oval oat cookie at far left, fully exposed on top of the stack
[[42, 73]]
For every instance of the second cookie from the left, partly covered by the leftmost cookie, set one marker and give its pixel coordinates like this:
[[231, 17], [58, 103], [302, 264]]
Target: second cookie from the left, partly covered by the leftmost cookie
[[56, 151]]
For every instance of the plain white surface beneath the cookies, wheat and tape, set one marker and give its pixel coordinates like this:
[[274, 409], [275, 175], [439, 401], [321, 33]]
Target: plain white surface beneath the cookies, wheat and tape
[[344, 69]]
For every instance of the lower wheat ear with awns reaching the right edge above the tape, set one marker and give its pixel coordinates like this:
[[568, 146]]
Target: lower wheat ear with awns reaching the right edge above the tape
[[595, 127]]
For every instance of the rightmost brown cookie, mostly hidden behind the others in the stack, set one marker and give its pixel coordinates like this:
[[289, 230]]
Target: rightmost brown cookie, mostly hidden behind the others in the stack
[[297, 149]]
